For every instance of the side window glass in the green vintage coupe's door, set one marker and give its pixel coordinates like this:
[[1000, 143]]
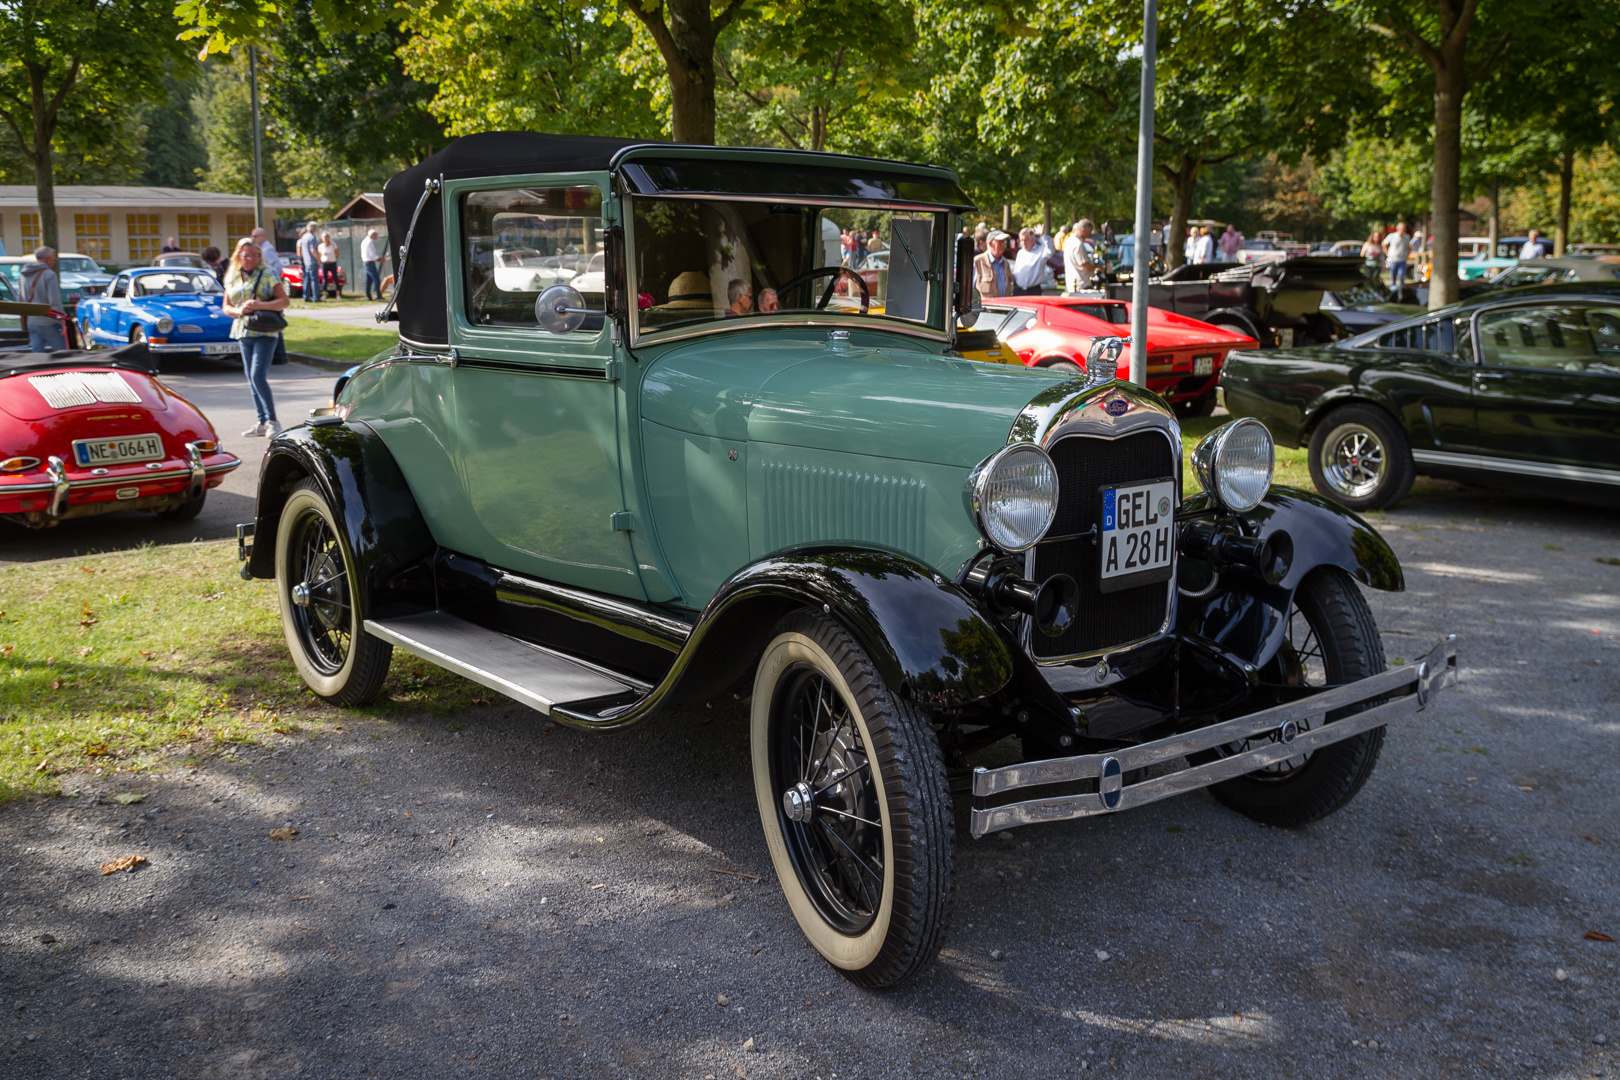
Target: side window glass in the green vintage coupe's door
[[521, 242]]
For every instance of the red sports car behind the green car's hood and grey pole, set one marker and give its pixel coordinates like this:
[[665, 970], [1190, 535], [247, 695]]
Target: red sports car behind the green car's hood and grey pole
[[1183, 355]]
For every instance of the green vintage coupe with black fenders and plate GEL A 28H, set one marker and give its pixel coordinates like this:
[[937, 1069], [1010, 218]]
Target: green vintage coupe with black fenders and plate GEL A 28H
[[688, 456]]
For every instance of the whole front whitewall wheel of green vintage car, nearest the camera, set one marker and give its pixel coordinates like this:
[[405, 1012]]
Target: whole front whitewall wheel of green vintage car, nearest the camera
[[855, 801]]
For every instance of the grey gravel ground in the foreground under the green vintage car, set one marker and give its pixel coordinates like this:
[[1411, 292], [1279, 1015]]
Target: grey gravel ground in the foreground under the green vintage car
[[501, 898]]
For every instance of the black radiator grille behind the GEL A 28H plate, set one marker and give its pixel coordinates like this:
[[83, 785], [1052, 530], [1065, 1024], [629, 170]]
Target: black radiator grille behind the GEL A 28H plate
[[1086, 466]]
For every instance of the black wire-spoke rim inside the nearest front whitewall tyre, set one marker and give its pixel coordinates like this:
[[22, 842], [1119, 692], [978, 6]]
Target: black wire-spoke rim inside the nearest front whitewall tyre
[[832, 815]]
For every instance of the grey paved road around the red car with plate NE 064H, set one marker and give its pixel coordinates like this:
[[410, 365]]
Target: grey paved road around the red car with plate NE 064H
[[223, 394]]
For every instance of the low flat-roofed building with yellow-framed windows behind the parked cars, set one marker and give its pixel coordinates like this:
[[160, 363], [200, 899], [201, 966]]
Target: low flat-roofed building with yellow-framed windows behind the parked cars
[[127, 226]]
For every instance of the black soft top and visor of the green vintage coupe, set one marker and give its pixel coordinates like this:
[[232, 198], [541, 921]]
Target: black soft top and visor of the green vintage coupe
[[659, 169]]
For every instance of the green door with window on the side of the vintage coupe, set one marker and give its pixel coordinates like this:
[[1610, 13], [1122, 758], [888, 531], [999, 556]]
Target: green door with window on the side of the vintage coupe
[[539, 415]]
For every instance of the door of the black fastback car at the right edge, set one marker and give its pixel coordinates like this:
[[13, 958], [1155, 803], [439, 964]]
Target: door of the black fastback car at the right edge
[[1548, 386]]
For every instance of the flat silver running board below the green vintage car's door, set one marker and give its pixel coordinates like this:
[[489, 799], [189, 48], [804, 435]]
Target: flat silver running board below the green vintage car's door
[[532, 674]]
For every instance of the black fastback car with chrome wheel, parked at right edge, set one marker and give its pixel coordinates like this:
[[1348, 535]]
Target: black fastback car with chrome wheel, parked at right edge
[[1519, 388]]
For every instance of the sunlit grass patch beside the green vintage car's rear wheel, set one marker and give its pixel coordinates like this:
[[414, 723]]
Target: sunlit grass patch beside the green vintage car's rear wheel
[[142, 661]]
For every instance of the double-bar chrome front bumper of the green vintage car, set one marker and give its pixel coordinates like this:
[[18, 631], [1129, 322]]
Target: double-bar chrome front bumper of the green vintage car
[[1409, 691]]
